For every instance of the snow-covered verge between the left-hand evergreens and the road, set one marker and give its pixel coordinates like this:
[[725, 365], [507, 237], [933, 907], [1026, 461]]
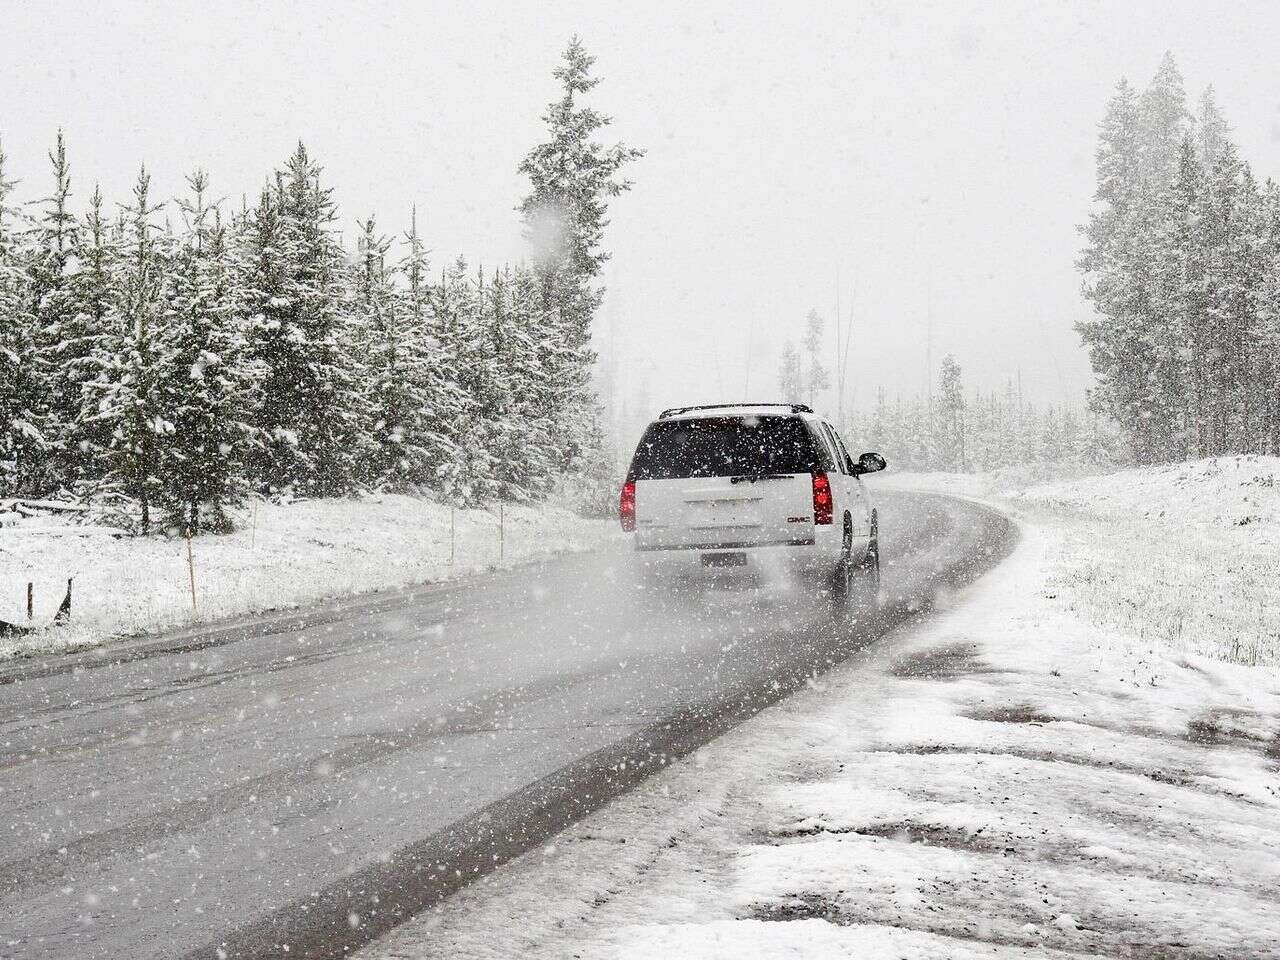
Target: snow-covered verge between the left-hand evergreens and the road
[[280, 556]]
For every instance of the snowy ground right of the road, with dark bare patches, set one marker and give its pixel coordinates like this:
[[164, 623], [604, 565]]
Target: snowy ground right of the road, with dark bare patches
[[1017, 776]]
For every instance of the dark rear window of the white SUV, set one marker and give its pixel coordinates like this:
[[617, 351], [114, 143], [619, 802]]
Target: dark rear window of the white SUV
[[674, 450]]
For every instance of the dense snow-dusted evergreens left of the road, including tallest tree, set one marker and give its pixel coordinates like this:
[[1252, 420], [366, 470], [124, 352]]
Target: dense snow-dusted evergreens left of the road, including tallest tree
[[173, 358]]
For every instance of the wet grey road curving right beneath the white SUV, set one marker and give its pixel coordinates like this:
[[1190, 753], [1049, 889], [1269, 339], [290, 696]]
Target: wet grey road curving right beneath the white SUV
[[316, 780]]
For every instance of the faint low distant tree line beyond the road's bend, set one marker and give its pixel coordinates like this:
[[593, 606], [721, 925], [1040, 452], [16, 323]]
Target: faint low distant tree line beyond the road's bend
[[980, 432]]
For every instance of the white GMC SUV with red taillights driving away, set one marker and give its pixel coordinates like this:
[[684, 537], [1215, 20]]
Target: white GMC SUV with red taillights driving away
[[755, 486]]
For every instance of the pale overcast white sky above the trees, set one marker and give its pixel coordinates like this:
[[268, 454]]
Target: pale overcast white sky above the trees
[[930, 153]]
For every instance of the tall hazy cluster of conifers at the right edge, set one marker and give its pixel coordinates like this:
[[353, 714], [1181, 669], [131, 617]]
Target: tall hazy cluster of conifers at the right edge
[[1182, 266]]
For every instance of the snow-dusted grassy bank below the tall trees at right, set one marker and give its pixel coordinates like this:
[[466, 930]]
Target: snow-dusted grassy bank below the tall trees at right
[[1183, 557]]
